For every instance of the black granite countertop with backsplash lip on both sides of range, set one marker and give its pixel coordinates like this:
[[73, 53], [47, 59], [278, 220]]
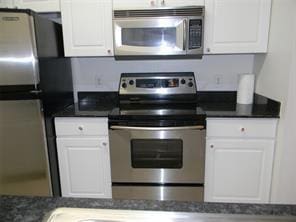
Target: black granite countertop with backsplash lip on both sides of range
[[214, 104]]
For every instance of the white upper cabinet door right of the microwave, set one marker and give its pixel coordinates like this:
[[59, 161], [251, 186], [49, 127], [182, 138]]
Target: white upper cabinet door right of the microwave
[[236, 26]]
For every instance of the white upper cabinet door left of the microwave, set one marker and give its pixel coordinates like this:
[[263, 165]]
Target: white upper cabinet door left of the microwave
[[87, 27]]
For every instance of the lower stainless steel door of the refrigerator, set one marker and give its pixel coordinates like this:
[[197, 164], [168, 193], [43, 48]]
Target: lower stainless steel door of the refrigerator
[[23, 151]]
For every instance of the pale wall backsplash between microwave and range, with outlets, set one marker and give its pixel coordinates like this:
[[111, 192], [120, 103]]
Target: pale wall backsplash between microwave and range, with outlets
[[212, 73]]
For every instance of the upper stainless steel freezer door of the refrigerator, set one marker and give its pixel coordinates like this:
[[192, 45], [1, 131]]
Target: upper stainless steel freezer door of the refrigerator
[[18, 63]]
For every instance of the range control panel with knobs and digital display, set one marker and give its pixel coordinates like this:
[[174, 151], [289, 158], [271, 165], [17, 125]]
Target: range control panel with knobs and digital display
[[157, 83]]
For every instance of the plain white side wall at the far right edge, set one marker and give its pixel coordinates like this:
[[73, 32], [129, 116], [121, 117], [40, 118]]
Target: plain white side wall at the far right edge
[[276, 79]]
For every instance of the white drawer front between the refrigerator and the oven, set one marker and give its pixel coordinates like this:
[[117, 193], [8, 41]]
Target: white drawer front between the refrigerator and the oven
[[75, 126]]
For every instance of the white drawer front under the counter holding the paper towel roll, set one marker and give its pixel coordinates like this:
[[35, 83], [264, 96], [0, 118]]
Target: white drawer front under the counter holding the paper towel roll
[[237, 127]]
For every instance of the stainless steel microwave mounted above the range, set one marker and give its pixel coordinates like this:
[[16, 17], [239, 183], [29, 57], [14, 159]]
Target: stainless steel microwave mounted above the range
[[160, 32]]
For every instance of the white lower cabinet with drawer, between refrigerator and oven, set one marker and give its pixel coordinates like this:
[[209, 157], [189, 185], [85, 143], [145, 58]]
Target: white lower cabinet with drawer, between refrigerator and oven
[[84, 160]]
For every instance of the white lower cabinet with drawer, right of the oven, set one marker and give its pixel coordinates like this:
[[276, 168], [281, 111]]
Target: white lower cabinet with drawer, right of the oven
[[239, 167]]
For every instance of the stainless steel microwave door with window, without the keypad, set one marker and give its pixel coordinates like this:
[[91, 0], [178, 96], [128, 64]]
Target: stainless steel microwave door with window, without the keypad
[[149, 36]]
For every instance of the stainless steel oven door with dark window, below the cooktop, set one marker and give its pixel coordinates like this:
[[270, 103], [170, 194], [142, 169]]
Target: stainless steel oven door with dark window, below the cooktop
[[157, 155]]
